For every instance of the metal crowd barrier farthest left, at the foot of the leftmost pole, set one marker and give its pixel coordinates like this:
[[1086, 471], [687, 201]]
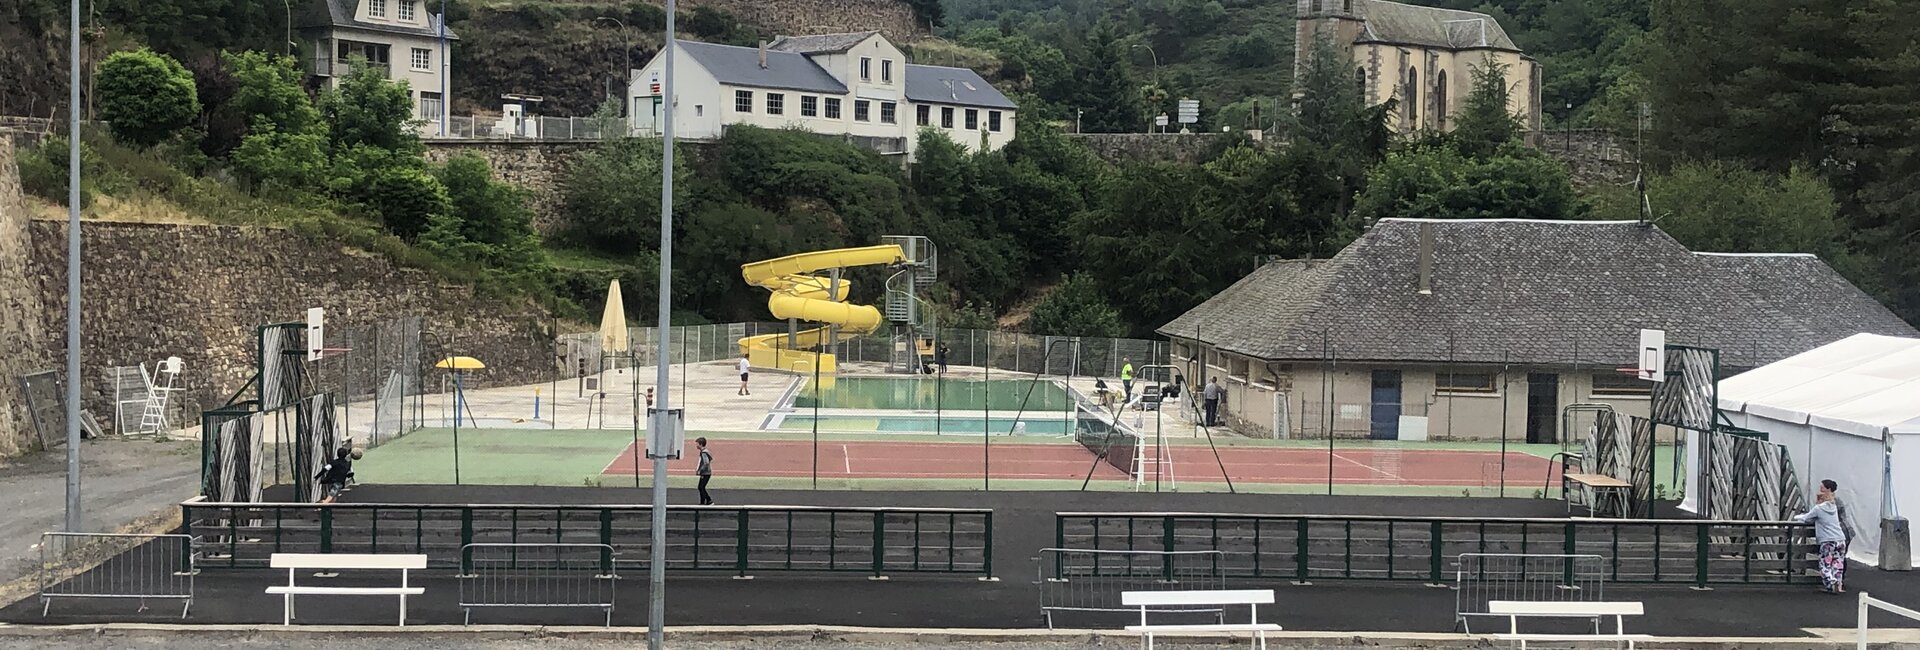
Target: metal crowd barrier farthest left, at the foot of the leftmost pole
[[116, 567]]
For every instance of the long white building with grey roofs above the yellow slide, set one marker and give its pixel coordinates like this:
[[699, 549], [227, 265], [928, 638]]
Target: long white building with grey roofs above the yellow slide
[[848, 85]]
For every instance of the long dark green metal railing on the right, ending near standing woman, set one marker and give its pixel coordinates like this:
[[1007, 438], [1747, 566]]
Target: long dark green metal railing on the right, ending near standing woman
[[1307, 547]]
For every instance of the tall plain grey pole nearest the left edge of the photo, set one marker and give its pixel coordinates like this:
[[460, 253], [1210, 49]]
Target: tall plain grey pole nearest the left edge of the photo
[[74, 267]]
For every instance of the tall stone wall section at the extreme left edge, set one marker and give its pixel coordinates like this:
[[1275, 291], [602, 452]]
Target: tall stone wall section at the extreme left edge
[[28, 344]]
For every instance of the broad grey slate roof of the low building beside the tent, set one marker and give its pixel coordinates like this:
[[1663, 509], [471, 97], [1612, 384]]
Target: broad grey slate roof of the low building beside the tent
[[1533, 292]]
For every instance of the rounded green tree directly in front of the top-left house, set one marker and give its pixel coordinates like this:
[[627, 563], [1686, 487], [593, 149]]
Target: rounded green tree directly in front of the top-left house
[[370, 110]]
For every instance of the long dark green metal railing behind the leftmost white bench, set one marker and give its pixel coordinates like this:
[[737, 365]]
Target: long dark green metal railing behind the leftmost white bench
[[738, 540]]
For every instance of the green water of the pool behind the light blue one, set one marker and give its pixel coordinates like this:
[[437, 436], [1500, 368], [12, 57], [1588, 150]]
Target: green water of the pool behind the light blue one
[[930, 394]]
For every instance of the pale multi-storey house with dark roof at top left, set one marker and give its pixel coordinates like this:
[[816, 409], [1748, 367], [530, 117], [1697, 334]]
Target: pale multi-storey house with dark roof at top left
[[400, 37]]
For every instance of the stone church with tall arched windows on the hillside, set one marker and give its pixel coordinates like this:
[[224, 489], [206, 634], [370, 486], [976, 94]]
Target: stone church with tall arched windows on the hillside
[[1422, 57]]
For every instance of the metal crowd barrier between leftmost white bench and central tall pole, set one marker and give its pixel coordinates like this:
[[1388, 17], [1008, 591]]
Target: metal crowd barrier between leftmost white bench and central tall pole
[[539, 576]]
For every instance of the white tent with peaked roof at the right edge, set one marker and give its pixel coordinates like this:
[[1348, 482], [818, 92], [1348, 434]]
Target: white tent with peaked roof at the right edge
[[1848, 411]]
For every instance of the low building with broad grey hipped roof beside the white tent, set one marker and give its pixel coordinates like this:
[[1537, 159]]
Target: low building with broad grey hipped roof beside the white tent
[[1493, 329]]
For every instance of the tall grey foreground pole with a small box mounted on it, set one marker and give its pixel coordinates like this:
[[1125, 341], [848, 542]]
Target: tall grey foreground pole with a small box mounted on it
[[658, 551]]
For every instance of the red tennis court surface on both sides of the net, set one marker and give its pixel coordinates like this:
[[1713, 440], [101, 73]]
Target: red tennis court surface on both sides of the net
[[957, 461]]
